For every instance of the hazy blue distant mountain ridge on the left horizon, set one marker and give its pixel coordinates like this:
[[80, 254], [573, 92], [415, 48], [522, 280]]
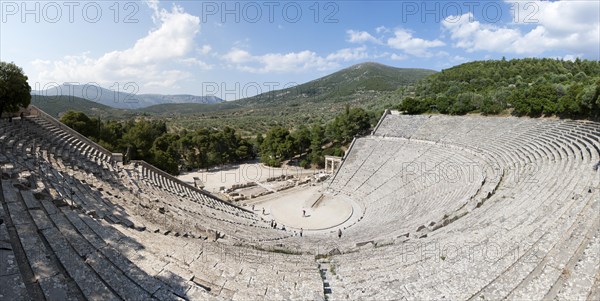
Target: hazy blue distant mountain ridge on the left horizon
[[124, 97]]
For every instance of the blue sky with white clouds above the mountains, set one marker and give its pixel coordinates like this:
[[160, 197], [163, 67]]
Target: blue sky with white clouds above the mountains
[[236, 49]]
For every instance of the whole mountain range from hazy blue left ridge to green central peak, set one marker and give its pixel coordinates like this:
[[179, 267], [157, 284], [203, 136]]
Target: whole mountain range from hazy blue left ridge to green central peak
[[369, 85]]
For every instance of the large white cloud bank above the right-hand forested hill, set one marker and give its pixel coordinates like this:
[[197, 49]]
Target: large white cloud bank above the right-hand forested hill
[[572, 26]]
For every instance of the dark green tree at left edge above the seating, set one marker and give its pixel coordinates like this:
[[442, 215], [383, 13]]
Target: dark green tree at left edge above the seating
[[15, 92]]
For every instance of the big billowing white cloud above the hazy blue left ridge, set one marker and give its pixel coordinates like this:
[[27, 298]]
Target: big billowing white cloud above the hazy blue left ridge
[[147, 62]]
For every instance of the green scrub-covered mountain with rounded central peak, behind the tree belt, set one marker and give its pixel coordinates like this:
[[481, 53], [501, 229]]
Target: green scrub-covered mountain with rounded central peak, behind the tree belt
[[369, 85]]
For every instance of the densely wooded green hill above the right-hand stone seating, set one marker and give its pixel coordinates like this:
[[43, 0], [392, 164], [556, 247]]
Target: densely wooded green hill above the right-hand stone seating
[[532, 87]]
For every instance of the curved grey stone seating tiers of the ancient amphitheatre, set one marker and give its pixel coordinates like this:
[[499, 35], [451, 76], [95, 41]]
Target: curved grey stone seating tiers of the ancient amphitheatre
[[460, 208]]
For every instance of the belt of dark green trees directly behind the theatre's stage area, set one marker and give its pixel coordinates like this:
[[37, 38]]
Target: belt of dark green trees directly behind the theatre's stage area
[[174, 150]]
